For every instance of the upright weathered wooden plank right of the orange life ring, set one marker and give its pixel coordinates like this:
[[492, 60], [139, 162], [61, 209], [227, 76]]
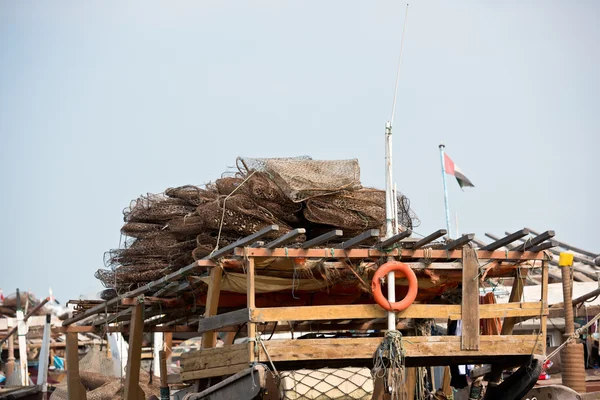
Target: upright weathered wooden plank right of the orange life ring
[[470, 301]]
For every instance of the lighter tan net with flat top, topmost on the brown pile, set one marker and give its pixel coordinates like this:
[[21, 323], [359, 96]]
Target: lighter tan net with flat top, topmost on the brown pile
[[303, 178]]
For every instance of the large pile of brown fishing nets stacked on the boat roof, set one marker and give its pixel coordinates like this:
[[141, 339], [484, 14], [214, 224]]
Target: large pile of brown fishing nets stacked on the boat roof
[[170, 230]]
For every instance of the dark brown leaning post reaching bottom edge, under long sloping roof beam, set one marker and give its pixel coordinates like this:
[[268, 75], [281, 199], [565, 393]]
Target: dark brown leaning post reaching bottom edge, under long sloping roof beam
[[132, 375]]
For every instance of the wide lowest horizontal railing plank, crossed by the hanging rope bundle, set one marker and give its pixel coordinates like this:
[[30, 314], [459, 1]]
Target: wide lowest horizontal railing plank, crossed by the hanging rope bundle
[[415, 346]]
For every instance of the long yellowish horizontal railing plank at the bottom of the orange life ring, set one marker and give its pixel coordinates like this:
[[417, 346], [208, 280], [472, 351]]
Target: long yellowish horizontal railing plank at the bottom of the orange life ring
[[372, 311]]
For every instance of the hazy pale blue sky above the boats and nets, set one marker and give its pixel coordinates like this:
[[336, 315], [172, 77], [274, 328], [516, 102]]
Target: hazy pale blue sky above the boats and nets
[[103, 101]]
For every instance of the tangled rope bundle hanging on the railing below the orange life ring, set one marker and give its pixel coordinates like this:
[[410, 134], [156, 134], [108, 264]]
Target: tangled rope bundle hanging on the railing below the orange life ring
[[389, 363]]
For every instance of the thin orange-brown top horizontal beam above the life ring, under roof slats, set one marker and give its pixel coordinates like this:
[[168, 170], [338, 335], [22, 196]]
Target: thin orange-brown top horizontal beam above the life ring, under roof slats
[[404, 254]]
